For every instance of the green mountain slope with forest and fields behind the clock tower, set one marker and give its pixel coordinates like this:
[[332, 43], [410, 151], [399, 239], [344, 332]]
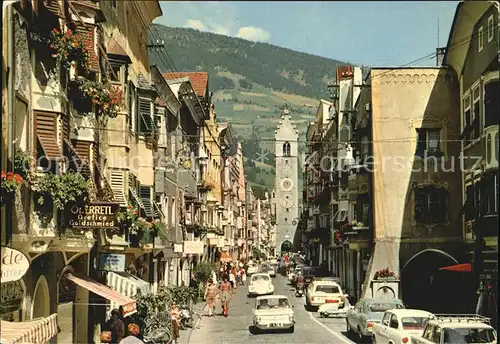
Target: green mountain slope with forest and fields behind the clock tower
[[251, 83]]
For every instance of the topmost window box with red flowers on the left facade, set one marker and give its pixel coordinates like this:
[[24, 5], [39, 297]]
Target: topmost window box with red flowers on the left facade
[[69, 49]]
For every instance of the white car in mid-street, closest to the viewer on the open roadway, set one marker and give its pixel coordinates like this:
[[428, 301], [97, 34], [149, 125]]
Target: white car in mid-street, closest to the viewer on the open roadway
[[272, 313]]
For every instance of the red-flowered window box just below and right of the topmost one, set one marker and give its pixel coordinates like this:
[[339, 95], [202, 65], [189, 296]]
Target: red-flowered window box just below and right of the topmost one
[[107, 98]]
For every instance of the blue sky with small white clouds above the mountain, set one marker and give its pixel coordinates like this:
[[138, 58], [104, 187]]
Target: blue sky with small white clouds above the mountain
[[370, 33]]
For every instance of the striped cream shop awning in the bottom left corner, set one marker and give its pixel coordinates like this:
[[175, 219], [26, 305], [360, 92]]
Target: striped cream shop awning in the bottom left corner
[[29, 332]]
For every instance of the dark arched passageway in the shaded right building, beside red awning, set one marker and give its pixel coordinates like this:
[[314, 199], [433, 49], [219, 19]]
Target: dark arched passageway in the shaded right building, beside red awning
[[424, 286]]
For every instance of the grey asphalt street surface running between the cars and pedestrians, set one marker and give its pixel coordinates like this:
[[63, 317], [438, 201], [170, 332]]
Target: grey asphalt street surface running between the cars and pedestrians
[[310, 328]]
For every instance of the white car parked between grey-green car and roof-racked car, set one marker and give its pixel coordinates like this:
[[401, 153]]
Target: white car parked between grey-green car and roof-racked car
[[398, 325]]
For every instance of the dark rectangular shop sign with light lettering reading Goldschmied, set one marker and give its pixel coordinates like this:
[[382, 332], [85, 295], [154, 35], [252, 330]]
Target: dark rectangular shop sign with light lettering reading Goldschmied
[[95, 215]]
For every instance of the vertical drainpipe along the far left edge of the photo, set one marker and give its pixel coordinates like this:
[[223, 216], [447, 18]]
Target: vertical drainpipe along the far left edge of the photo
[[11, 94]]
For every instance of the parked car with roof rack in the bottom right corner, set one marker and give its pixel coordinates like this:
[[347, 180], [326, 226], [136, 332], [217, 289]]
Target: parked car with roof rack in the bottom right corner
[[457, 329]]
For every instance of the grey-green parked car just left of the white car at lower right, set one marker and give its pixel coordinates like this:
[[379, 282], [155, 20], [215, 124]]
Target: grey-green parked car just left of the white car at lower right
[[368, 312]]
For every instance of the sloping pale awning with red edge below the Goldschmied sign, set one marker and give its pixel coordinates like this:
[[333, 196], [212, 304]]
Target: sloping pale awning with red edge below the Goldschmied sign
[[129, 304]]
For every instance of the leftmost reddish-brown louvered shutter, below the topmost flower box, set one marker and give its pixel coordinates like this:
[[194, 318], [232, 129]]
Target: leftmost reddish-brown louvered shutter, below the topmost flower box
[[46, 130]]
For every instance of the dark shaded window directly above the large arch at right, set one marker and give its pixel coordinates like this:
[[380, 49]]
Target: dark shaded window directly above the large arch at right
[[430, 205]]
